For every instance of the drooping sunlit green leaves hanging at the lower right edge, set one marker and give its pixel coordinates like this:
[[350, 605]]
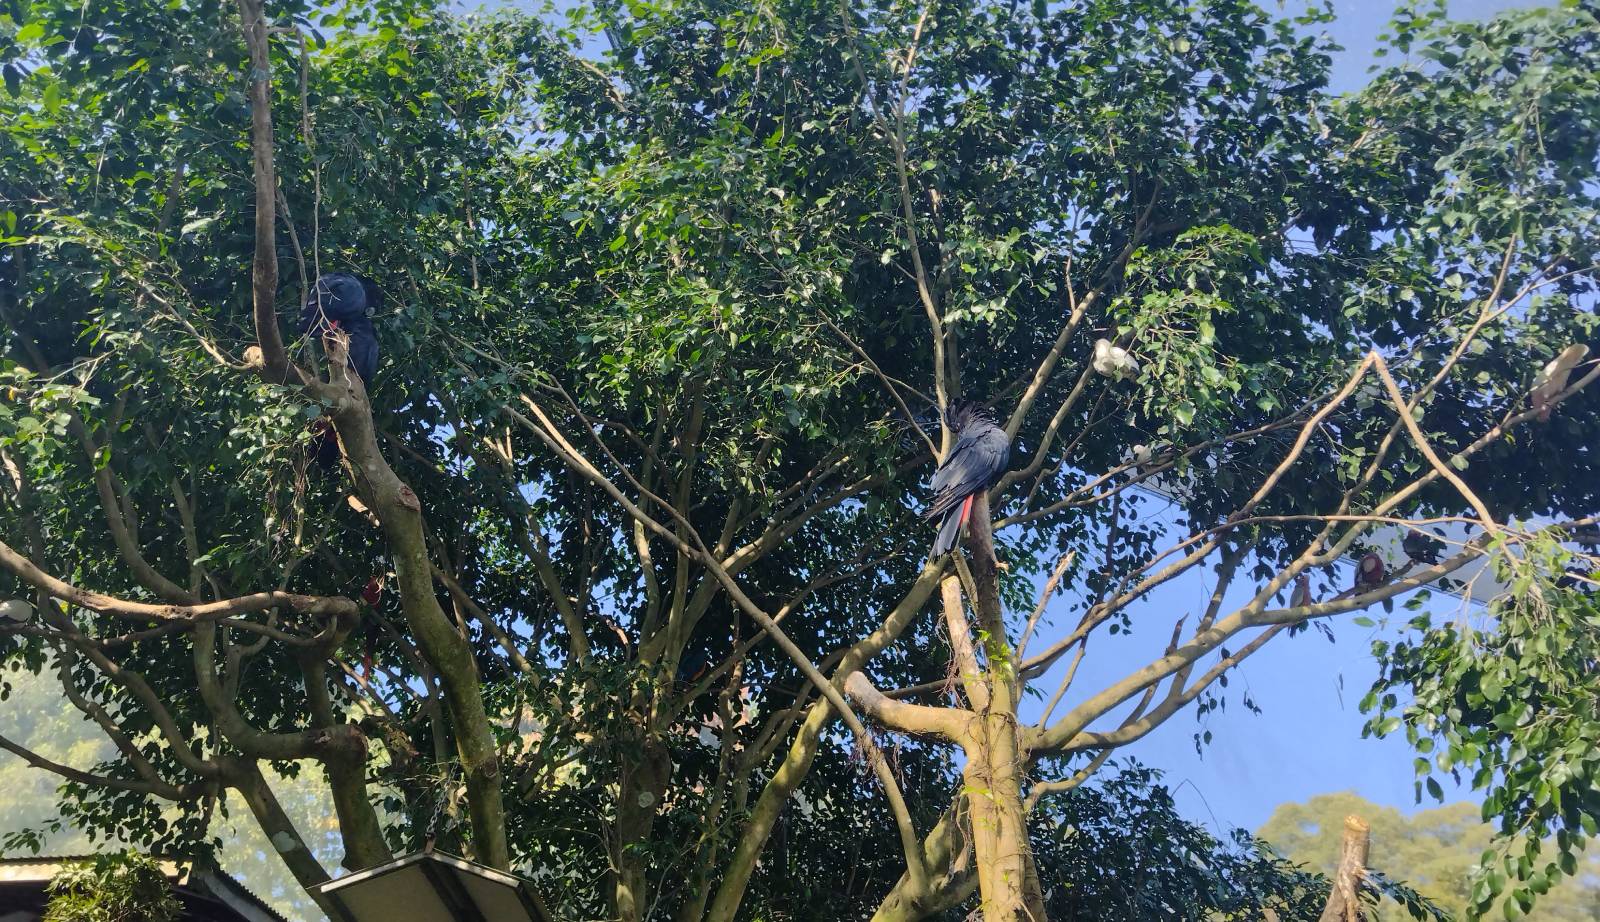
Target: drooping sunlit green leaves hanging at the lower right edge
[[1510, 707]]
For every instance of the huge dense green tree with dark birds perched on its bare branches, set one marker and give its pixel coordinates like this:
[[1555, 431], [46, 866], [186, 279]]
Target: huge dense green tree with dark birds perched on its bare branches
[[636, 489]]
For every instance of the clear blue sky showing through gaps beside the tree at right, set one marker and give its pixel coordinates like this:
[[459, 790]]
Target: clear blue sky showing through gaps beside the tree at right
[[1308, 739]]
